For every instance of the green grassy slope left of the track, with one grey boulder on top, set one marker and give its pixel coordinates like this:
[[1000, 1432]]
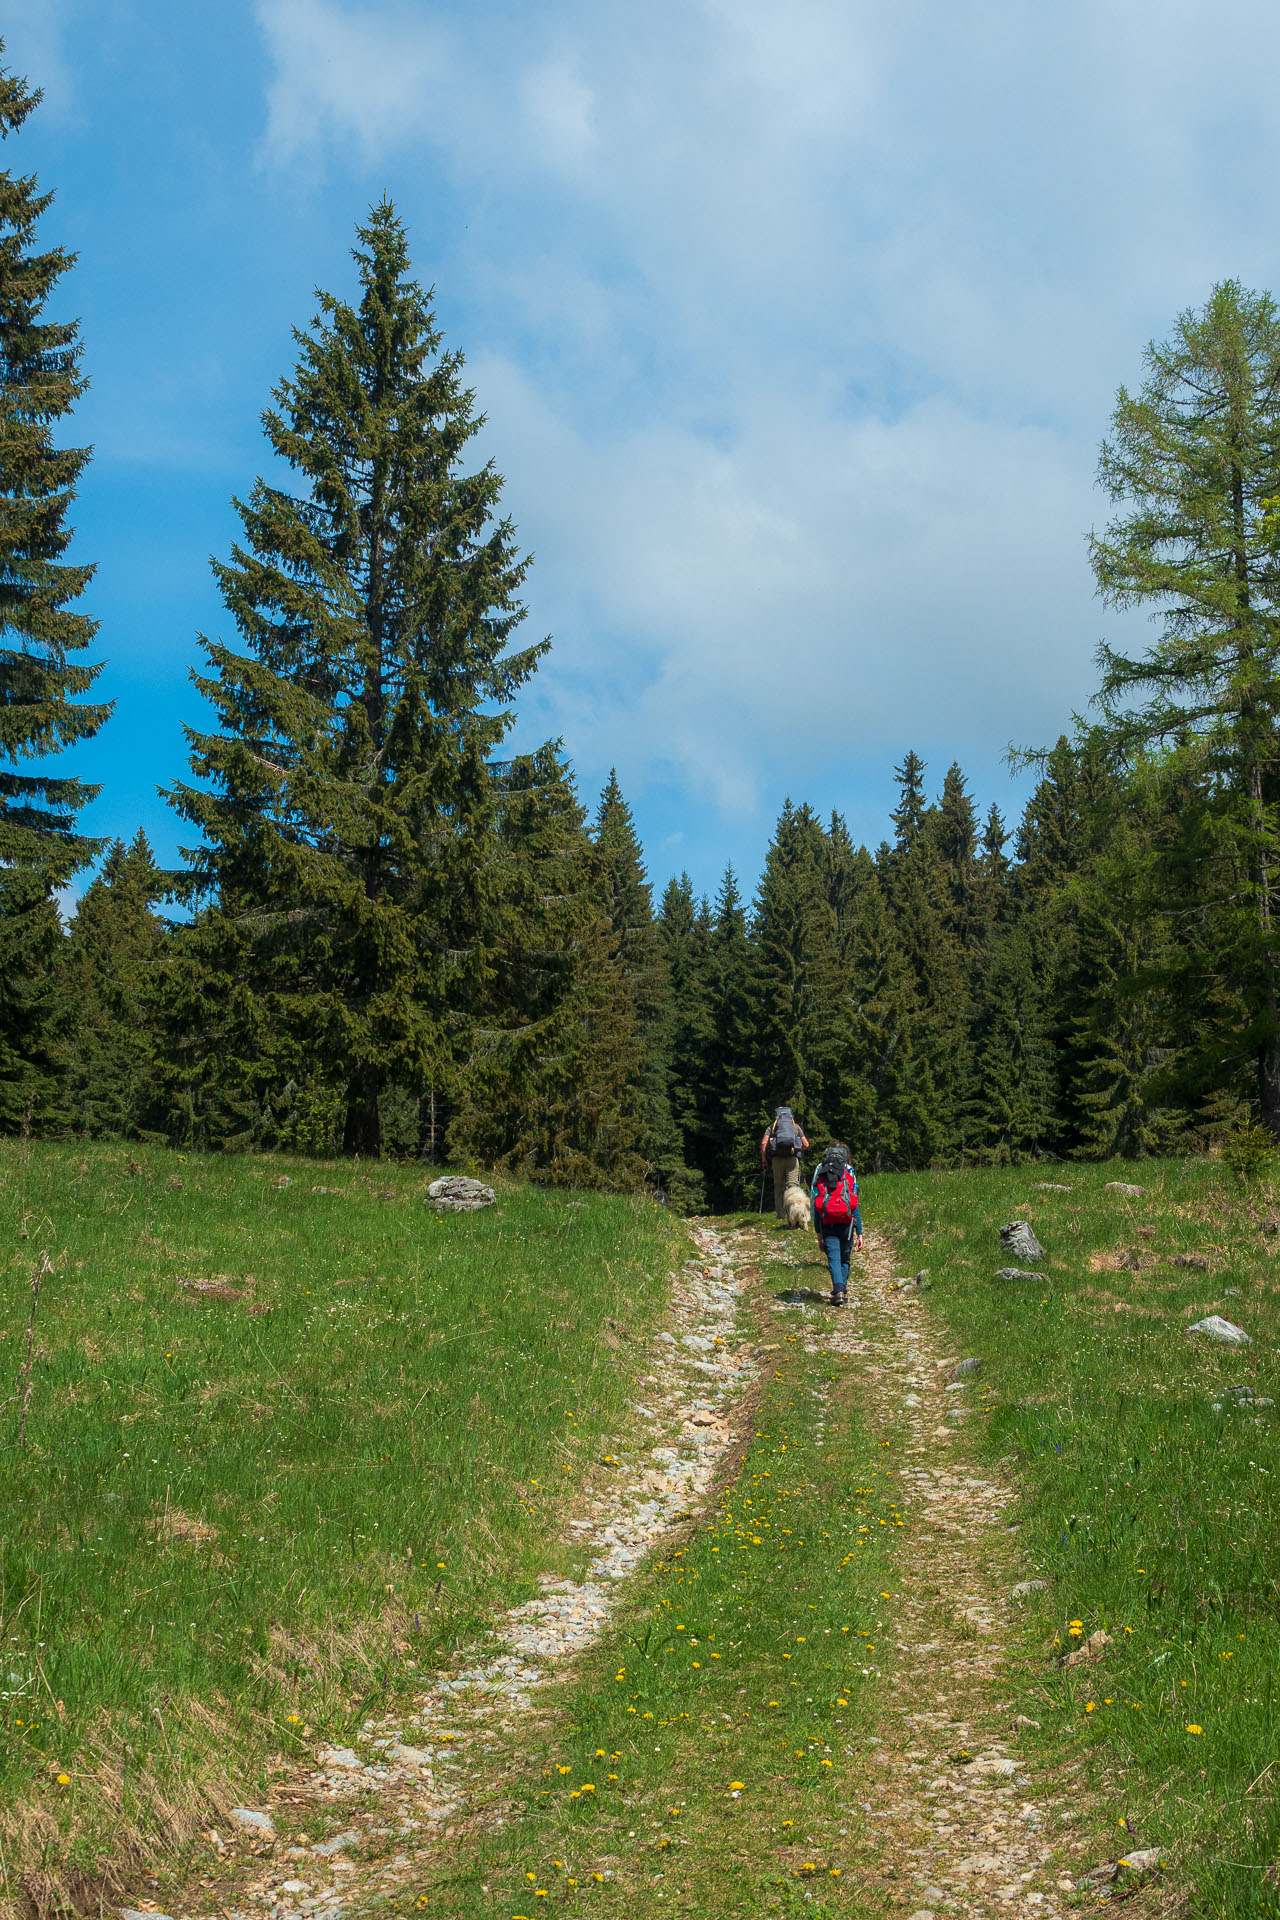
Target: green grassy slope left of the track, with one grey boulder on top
[[289, 1435]]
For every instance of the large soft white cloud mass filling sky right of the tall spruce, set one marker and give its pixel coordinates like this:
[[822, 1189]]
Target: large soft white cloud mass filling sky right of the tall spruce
[[799, 327]]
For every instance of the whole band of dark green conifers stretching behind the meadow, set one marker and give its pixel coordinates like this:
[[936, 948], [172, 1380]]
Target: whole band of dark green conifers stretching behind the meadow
[[392, 936]]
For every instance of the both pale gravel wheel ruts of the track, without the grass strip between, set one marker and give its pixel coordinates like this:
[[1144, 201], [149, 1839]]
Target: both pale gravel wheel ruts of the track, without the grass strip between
[[947, 1815]]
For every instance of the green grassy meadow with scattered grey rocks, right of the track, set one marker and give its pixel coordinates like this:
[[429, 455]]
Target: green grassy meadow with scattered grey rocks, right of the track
[[1149, 1514]]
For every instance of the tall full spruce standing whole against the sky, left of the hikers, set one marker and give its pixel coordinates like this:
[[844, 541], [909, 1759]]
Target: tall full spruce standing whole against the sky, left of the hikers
[[348, 859]]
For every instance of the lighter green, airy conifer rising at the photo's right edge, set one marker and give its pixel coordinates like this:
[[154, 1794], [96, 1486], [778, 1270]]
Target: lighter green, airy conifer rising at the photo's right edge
[[1193, 468]]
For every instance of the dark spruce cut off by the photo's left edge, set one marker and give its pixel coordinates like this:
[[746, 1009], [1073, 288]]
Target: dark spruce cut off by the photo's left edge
[[41, 640]]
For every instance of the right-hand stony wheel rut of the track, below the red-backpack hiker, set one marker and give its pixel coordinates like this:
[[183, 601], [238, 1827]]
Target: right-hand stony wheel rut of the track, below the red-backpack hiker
[[949, 1815]]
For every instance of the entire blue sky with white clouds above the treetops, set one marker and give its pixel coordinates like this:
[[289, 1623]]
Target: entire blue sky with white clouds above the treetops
[[797, 329]]
